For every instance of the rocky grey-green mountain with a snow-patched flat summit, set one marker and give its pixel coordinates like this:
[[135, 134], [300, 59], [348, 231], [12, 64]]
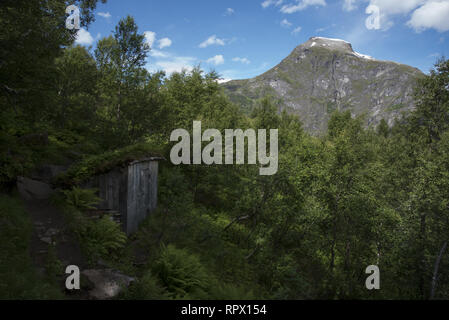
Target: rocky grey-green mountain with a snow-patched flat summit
[[324, 75]]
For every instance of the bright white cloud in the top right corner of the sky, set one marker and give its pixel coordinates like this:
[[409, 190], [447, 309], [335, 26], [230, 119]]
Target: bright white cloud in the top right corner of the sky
[[433, 14]]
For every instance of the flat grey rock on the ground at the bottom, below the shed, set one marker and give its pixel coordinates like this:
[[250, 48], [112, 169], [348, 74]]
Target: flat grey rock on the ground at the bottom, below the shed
[[107, 283]]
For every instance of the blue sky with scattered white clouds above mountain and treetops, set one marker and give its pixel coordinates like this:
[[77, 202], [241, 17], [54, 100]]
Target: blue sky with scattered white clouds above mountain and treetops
[[242, 39]]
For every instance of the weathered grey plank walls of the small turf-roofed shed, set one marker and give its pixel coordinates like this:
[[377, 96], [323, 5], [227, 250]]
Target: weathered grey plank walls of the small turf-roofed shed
[[129, 191]]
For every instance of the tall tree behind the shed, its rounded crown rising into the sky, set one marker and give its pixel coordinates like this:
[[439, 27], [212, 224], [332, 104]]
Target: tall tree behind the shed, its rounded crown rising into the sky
[[124, 81]]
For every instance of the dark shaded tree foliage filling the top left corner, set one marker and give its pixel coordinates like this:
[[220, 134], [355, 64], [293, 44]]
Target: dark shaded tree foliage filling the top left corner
[[33, 35]]
